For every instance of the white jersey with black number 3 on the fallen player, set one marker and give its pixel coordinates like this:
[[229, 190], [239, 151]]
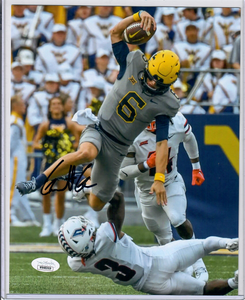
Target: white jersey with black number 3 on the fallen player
[[118, 259]]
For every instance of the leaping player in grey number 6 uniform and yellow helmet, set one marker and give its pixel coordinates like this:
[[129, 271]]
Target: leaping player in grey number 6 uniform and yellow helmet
[[140, 94]]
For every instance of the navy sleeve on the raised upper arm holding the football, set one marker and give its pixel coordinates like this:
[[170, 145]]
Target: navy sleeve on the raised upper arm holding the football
[[121, 51]]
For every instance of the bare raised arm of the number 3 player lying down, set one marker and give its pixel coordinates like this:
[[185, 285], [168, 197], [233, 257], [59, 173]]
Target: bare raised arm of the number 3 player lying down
[[116, 212]]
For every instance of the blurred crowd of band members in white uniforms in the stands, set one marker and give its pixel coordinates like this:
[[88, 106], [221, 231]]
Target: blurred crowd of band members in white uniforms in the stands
[[65, 52]]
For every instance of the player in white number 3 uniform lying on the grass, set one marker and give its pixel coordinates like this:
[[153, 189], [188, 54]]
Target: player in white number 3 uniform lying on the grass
[[153, 270]]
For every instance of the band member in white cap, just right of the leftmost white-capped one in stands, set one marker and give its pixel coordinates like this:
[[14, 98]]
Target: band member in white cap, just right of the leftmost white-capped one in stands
[[26, 58]]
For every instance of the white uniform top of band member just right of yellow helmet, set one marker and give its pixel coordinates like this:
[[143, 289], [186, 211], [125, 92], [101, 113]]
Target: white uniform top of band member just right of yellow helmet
[[197, 54]]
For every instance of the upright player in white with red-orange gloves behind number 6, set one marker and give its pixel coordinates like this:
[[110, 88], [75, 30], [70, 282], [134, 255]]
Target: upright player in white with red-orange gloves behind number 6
[[140, 164]]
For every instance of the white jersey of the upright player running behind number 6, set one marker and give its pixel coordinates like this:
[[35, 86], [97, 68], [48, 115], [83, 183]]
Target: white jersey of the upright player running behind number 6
[[145, 144]]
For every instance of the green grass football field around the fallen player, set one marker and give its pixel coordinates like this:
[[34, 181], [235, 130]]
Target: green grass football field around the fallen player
[[26, 280]]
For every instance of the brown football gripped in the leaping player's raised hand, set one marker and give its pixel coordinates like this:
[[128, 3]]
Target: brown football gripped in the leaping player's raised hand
[[135, 35]]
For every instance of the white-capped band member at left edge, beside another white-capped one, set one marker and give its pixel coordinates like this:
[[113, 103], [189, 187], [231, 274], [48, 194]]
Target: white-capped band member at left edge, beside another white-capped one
[[18, 85]]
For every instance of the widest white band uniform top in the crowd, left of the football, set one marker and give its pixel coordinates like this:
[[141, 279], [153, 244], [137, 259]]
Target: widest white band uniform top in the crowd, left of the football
[[50, 57]]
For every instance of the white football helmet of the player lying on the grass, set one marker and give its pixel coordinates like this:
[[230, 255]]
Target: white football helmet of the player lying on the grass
[[76, 236]]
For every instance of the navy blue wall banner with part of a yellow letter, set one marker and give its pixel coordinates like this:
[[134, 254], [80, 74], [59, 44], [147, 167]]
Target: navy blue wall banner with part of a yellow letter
[[213, 206]]
